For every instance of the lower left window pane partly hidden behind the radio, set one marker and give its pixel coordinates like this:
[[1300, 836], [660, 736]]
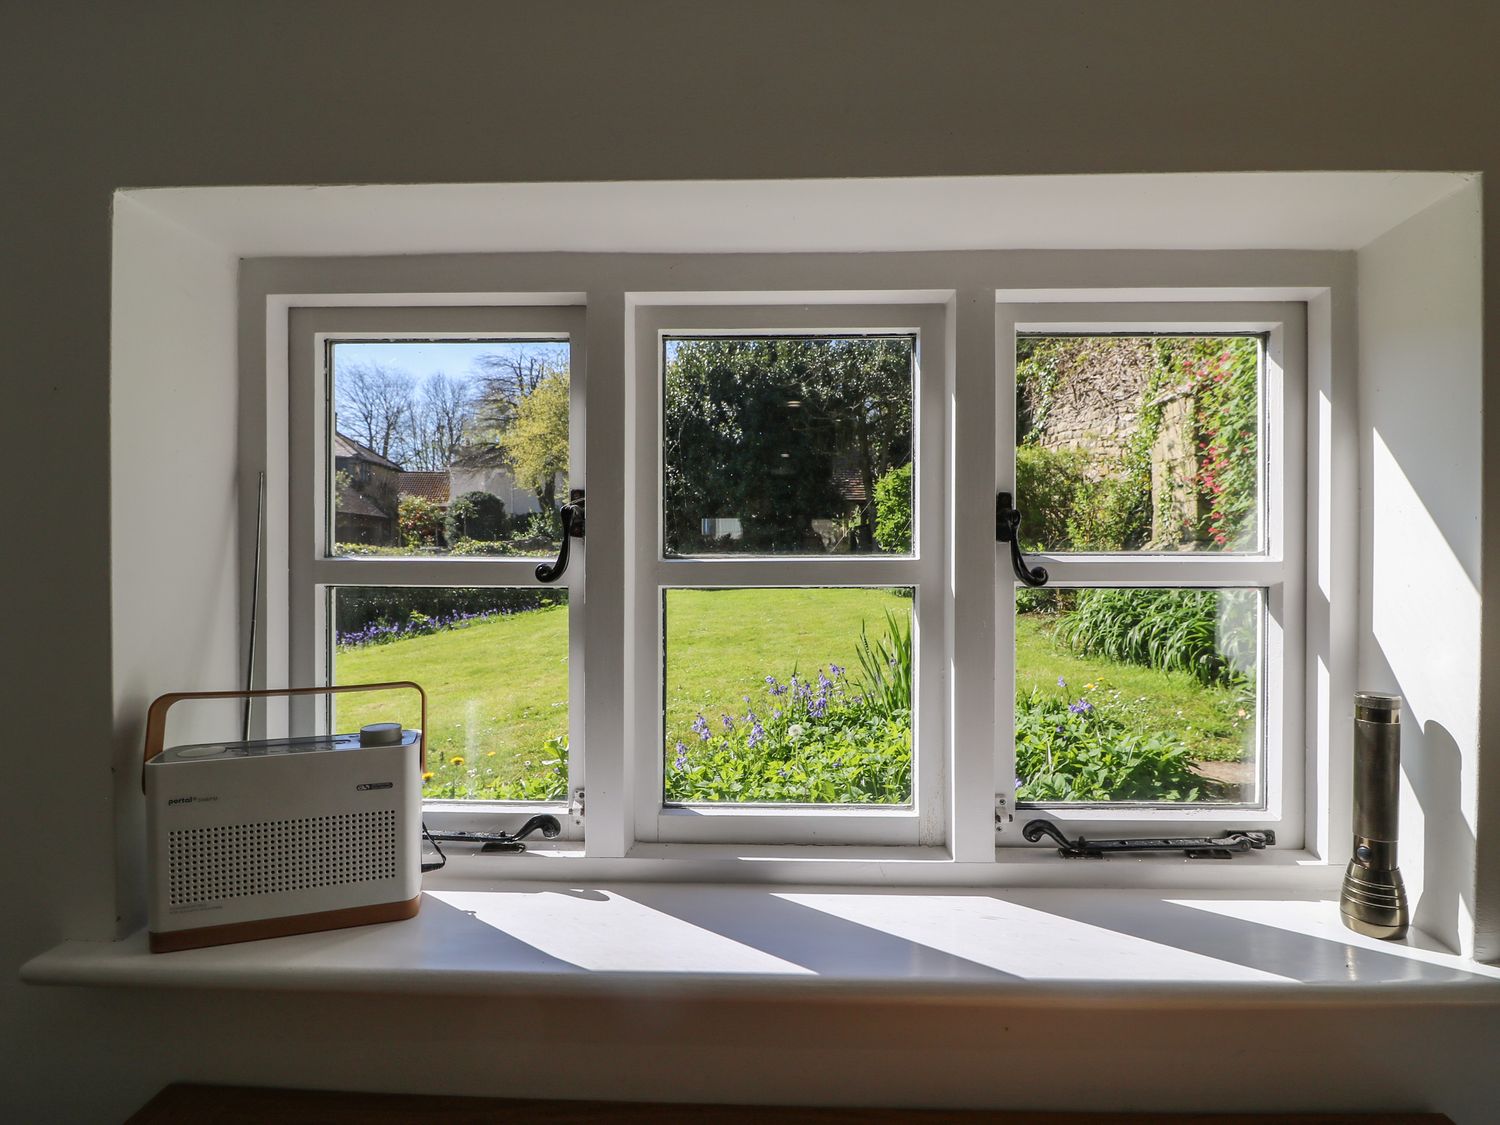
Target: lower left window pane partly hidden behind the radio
[[494, 665]]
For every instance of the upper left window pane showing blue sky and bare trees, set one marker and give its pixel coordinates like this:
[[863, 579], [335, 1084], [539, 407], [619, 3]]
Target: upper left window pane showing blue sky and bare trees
[[448, 448]]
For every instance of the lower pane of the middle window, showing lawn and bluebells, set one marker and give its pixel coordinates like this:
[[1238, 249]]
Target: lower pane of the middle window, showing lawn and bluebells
[[797, 697]]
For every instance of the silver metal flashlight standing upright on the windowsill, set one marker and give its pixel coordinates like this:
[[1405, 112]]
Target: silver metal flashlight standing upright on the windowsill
[[1375, 901]]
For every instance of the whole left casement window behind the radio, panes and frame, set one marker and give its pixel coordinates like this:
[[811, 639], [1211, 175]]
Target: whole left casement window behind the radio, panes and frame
[[436, 448]]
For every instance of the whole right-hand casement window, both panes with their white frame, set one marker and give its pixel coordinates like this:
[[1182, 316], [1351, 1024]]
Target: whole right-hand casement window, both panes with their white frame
[[1154, 671]]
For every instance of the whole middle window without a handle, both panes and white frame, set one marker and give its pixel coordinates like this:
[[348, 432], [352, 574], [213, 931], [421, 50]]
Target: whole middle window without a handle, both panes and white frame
[[790, 559]]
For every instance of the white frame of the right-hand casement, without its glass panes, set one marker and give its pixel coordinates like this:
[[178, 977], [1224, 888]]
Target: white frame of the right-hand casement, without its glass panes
[[1277, 568]]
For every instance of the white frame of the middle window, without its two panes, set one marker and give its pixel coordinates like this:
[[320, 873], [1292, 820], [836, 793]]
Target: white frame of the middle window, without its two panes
[[923, 824]]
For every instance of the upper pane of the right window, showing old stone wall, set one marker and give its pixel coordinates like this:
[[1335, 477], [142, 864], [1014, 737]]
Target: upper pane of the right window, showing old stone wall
[[1139, 443]]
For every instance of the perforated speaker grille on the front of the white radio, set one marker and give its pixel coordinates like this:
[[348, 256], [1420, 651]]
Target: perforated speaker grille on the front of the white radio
[[245, 860]]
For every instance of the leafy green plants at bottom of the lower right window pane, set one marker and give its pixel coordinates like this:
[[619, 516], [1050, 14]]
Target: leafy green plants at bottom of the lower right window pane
[[1096, 752]]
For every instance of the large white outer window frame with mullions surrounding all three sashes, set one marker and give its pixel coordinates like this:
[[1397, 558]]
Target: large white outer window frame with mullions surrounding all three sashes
[[970, 293]]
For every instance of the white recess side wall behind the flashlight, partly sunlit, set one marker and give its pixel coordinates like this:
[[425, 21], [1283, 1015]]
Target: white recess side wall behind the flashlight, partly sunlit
[[1421, 497]]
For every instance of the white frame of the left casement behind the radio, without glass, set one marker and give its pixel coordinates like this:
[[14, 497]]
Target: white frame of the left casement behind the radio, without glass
[[316, 571]]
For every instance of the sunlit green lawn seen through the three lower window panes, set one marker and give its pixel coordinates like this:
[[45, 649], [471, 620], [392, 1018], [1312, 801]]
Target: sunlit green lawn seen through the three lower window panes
[[497, 689]]
